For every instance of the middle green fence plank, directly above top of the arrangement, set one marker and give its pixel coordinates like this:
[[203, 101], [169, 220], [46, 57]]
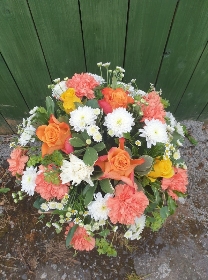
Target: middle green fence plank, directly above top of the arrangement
[[104, 31]]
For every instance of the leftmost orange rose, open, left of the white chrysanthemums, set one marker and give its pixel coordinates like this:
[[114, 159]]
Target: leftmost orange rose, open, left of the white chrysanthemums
[[53, 135]]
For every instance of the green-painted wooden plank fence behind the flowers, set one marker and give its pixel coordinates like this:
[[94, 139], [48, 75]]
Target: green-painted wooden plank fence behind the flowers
[[159, 41]]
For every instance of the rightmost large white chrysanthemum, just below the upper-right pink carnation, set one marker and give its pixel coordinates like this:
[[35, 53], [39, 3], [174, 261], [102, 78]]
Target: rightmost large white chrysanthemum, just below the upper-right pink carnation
[[154, 131]]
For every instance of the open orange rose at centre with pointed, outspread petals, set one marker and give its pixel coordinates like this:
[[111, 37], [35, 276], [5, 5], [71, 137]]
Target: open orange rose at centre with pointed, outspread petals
[[118, 165]]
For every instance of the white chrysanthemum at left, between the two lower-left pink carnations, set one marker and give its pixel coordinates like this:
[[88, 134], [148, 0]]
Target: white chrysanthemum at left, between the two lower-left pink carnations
[[28, 180]]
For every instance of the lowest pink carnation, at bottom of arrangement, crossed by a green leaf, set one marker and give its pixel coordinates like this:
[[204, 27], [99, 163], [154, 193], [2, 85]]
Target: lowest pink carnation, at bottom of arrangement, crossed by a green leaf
[[81, 240]]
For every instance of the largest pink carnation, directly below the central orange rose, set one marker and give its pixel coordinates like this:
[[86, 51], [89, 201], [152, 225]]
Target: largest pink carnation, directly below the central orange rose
[[126, 205]]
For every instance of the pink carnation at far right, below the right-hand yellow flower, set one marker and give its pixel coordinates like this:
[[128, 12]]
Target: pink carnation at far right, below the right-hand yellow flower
[[178, 182]]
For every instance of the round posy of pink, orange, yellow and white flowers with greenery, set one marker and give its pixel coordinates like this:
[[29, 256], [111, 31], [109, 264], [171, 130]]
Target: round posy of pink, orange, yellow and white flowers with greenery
[[102, 158]]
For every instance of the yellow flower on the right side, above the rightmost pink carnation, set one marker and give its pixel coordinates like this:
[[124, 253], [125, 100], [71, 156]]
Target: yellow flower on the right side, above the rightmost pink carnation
[[162, 168]]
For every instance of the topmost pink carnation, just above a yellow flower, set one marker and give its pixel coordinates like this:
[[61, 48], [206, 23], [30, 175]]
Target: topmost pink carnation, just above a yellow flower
[[83, 85]]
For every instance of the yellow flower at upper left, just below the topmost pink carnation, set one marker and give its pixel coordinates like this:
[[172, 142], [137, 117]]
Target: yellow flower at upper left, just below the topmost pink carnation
[[69, 98]]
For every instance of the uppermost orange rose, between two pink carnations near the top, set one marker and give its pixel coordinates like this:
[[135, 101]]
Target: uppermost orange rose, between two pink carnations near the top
[[113, 99]]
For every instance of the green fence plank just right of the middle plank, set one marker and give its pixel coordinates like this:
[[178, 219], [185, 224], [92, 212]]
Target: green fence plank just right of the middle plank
[[148, 27]]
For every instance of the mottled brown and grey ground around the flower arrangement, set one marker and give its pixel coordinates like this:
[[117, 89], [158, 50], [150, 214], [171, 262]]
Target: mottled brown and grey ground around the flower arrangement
[[28, 250]]
